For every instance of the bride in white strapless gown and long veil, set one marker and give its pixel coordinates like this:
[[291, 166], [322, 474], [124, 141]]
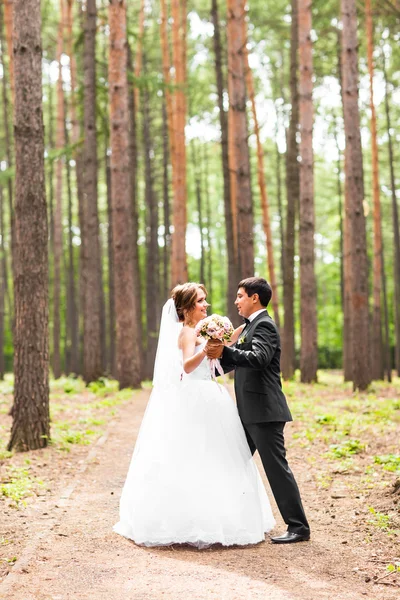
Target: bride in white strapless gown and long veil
[[192, 478]]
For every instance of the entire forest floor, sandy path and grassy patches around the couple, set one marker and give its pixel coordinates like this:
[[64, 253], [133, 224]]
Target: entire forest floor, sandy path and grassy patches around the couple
[[58, 505]]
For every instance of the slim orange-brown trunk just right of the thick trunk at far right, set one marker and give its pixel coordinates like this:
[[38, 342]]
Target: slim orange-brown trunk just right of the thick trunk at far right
[[377, 355]]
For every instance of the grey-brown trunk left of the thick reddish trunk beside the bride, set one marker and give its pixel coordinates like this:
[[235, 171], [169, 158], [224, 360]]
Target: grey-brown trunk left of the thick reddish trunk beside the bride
[[91, 267]]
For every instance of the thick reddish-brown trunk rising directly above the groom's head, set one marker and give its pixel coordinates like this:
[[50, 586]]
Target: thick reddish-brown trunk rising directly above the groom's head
[[237, 100]]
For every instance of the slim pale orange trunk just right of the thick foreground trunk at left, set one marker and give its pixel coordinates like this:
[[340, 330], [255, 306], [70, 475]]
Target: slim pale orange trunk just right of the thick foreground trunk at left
[[58, 229]]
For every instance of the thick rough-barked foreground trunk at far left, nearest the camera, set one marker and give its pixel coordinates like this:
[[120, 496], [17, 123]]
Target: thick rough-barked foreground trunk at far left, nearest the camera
[[31, 427]]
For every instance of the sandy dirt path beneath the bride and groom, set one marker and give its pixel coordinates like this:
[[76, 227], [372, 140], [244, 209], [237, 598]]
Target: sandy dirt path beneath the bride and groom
[[73, 553]]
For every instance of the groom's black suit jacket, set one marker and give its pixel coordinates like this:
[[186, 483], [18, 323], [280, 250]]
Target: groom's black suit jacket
[[256, 361]]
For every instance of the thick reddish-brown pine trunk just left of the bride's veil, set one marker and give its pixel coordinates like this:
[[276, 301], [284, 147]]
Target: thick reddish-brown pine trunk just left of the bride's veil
[[126, 301]]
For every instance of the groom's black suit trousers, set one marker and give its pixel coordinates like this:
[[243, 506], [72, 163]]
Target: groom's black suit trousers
[[268, 439]]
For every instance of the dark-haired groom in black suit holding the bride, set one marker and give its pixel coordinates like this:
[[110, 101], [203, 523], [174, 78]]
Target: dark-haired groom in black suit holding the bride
[[261, 403]]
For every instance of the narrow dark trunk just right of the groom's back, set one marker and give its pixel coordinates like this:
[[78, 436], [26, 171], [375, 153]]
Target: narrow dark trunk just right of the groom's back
[[293, 193]]
